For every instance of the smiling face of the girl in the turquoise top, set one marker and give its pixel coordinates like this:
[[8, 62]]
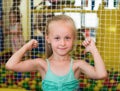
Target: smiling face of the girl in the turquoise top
[[60, 37]]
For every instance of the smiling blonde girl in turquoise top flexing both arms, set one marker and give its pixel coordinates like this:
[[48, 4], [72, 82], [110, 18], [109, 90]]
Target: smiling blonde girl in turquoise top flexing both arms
[[59, 71]]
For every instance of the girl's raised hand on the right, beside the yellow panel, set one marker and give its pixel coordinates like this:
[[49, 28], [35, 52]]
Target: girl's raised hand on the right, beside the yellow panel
[[89, 45]]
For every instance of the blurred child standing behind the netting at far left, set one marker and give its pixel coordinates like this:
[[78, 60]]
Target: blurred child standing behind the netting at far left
[[15, 29]]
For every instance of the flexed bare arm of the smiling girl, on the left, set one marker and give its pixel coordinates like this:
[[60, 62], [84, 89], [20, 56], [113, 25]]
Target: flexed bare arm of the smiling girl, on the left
[[15, 63]]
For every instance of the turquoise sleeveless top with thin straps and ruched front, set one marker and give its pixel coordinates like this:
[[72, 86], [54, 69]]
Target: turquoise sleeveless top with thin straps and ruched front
[[52, 82]]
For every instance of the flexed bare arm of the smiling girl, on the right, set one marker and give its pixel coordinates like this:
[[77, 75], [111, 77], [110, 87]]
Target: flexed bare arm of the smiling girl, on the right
[[98, 71]]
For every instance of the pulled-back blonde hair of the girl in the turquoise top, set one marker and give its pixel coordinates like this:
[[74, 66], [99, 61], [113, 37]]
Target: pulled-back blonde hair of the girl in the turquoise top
[[64, 18]]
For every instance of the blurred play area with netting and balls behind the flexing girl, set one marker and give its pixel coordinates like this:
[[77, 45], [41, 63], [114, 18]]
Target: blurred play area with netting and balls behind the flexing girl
[[23, 20]]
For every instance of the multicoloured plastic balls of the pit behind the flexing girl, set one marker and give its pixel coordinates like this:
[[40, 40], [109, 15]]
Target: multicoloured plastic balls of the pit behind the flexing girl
[[32, 81]]
